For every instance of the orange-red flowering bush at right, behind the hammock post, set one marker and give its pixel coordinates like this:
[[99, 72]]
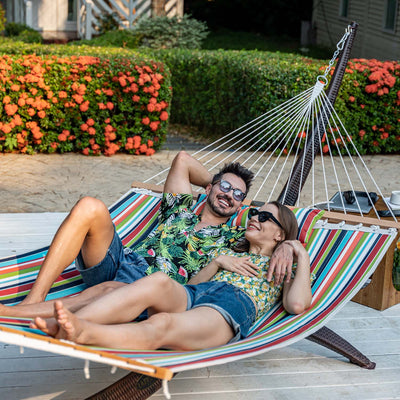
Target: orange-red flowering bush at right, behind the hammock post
[[369, 105]]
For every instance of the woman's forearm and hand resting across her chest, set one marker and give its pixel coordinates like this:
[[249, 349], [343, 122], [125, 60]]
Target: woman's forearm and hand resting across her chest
[[240, 265]]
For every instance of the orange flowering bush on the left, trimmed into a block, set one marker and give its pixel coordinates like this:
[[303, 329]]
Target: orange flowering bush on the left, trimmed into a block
[[84, 104]]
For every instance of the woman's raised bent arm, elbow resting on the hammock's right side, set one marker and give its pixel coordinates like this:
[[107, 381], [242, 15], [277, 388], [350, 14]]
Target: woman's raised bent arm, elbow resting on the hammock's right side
[[297, 292]]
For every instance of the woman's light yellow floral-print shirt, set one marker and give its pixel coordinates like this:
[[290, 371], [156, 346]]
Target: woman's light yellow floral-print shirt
[[263, 293]]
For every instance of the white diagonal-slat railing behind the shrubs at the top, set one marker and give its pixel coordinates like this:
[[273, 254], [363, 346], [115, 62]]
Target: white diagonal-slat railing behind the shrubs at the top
[[125, 12]]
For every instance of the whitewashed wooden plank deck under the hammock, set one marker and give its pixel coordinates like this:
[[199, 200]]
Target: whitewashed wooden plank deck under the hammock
[[301, 371]]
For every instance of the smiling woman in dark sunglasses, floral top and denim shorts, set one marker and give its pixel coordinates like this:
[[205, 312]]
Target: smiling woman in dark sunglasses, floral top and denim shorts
[[217, 306]]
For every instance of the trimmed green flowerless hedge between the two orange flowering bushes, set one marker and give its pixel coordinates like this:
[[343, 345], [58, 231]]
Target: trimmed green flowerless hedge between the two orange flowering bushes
[[219, 91]]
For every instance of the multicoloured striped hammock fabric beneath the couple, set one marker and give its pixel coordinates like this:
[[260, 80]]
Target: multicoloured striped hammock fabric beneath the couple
[[342, 258]]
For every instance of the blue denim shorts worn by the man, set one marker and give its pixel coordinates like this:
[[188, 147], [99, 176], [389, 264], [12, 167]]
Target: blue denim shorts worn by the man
[[119, 264]]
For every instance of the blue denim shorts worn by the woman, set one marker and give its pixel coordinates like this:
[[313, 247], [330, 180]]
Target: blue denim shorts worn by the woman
[[233, 304]]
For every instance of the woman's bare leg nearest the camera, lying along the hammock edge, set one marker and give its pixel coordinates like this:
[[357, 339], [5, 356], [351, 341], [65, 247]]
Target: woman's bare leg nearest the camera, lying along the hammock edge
[[195, 329]]
